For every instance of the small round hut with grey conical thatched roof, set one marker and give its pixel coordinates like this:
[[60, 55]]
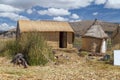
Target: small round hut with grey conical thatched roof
[[93, 39]]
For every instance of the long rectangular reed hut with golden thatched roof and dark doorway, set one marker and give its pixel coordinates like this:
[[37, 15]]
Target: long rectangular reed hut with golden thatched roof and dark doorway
[[58, 34]]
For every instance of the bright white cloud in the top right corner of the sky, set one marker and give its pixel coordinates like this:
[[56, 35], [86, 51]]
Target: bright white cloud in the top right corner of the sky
[[115, 4]]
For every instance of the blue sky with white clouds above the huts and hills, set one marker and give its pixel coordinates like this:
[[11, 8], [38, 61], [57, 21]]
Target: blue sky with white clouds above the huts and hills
[[60, 10]]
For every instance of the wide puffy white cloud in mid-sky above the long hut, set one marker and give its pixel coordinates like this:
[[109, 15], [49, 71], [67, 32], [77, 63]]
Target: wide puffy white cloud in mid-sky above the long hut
[[54, 12]]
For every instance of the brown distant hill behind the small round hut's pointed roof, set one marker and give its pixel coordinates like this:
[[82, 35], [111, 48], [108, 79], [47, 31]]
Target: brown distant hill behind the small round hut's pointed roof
[[81, 27]]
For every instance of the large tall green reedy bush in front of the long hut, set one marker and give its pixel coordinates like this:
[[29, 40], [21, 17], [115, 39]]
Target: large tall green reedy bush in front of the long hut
[[37, 49]]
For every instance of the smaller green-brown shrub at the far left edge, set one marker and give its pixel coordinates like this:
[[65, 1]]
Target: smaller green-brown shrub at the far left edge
[[9, 48]]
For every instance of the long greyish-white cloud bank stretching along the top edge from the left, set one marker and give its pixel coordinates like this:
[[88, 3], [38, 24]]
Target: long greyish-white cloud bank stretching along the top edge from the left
[[66, 4]]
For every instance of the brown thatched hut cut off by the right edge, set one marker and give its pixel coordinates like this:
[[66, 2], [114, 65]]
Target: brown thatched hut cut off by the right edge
[[116, 38]]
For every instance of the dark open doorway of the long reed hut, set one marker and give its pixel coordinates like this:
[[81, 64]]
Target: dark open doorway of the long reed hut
[[63, 40]]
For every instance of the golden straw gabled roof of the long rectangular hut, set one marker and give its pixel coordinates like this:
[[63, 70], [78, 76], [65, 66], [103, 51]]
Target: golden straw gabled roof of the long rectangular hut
[[44, 26]]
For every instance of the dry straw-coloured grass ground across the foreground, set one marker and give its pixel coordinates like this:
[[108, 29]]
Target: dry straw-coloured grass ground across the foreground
[[74, 68]]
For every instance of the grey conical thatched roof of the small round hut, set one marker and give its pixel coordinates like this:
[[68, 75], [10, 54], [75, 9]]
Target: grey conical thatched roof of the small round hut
[[96, 31]]
